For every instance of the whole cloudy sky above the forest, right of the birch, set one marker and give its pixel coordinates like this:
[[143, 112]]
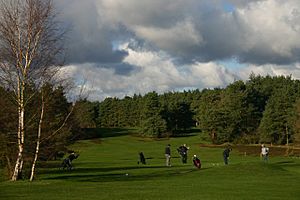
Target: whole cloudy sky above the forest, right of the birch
[[119, 48]]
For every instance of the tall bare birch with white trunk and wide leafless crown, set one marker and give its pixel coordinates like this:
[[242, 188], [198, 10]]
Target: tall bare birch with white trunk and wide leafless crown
[[31, 50]]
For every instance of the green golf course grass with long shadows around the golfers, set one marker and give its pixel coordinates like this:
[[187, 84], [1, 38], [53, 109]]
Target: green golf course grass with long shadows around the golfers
[[100, 173]]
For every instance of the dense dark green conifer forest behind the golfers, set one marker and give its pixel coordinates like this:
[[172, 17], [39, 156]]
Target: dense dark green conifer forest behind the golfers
[[262, 109]]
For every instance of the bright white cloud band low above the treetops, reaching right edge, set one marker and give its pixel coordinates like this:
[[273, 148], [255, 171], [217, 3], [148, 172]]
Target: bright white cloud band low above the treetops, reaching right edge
[[157, 71]]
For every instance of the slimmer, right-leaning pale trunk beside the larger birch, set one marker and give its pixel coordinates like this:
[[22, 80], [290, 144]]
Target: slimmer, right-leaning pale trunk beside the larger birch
[[37, 148]]
